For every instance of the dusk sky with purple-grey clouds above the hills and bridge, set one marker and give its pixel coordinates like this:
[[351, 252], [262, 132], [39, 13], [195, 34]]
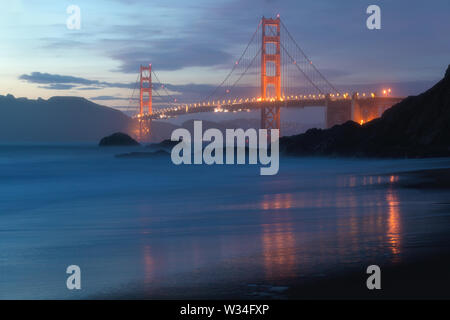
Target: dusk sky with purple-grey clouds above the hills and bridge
[[197, 41]]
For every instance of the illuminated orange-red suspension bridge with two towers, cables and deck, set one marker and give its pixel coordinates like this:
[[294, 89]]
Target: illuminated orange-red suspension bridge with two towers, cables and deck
[[272, 72]]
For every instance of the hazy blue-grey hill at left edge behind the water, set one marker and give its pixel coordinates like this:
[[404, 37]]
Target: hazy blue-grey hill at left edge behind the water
[[58, 119]]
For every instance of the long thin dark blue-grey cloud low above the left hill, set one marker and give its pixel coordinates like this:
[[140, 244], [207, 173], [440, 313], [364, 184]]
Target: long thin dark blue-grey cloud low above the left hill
[[65, 82]]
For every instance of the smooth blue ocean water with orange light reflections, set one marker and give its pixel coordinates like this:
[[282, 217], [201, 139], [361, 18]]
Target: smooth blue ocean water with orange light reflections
[[147, 228]]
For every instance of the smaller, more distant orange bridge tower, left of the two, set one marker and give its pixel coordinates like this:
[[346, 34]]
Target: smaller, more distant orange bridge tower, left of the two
[[145, 101]]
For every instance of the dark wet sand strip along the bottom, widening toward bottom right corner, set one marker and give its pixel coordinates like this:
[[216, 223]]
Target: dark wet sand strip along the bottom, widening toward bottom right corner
[[425, 278]]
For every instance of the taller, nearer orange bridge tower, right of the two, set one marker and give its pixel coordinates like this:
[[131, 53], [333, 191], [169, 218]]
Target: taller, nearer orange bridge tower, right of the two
[[270, 53]]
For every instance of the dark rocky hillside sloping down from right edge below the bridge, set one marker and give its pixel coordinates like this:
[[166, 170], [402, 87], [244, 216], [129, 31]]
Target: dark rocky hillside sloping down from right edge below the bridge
[[418, 126]]
